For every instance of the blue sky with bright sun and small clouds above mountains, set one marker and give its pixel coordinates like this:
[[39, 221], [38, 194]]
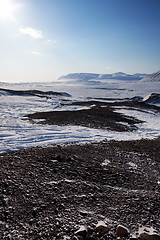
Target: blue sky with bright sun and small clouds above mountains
[[40, 40]]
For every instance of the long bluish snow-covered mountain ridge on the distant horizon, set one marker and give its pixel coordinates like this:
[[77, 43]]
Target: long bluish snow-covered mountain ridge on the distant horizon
[[93, 76]]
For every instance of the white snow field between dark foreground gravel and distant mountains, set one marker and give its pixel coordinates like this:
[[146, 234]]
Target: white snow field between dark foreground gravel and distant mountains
[[16, 133]]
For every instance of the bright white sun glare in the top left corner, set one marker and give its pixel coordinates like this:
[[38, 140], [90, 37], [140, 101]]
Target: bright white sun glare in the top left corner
[[6, 9]]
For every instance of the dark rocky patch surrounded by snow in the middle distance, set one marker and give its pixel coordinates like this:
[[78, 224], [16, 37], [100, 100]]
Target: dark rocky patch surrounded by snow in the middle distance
[[99, 114]]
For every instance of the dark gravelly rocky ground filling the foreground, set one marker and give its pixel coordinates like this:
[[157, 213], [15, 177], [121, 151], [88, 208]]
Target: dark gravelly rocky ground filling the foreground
[[107, 190]]
